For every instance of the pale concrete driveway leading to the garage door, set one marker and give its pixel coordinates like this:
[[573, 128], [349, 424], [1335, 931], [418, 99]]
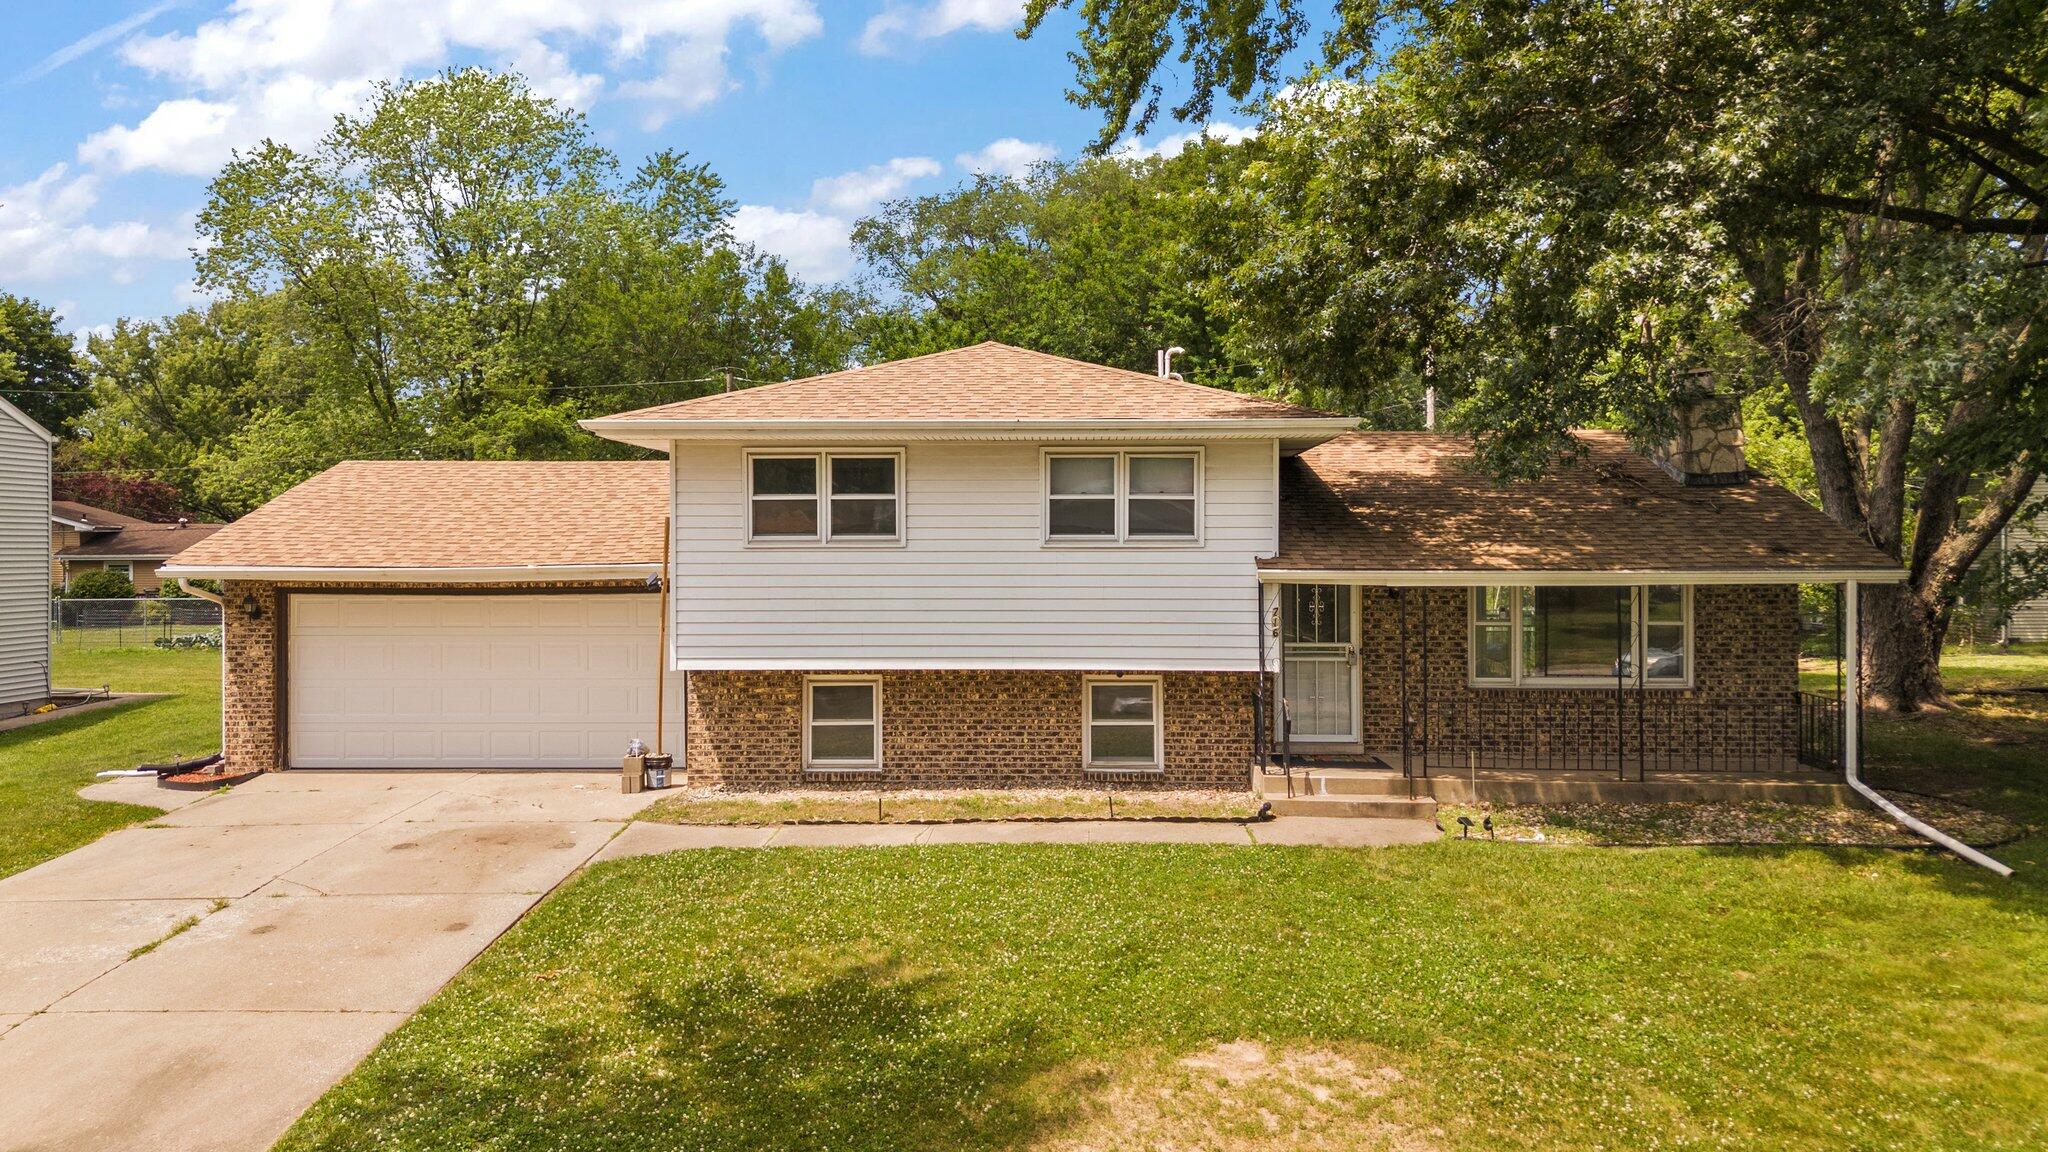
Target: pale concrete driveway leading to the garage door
[[294, 921]]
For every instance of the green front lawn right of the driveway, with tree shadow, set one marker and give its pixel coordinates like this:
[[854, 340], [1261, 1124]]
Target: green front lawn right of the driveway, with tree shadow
[[1461, 995]]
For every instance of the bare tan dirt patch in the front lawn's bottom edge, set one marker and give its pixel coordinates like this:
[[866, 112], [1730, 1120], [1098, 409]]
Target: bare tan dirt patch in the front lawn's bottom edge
[[1246, 1098]]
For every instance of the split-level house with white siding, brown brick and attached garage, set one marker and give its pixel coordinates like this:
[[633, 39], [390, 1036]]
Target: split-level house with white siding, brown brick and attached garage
[[996, 567]]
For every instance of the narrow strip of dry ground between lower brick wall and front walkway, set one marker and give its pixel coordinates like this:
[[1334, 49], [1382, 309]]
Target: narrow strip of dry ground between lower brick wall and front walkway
[[923, 807]]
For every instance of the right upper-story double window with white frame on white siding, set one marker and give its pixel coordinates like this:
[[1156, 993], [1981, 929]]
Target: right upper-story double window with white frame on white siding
[[1123, 497]]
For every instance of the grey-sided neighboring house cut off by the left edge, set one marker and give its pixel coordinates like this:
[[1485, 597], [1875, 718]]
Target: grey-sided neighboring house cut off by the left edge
[[24, 559]]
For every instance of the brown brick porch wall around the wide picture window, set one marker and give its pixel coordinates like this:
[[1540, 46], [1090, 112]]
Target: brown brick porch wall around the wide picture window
[[1742, 710]]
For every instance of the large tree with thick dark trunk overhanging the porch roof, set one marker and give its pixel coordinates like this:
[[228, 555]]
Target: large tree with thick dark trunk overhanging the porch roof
[[1553, 210]]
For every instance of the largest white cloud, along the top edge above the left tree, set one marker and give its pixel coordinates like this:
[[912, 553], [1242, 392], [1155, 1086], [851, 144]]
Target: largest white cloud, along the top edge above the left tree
[[284, 69]]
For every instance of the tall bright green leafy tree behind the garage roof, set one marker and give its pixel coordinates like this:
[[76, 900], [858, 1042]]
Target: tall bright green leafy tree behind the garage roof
[[456, 272]]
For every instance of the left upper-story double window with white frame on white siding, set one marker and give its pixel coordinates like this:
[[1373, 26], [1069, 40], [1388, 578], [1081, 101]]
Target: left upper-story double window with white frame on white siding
[[826, 497]]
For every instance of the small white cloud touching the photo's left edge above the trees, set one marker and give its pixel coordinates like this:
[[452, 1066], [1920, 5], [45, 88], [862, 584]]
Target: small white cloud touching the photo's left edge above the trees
[[44, 233]]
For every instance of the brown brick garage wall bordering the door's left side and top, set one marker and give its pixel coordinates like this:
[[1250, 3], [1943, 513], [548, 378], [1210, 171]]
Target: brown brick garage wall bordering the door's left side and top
[[251, 692]]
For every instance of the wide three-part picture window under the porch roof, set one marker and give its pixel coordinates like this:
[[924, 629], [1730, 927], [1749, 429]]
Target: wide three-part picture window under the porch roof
[[1582, 636]]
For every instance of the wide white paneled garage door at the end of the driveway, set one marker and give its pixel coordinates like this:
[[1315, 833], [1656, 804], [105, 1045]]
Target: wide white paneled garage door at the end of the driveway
[[480, 682]]
